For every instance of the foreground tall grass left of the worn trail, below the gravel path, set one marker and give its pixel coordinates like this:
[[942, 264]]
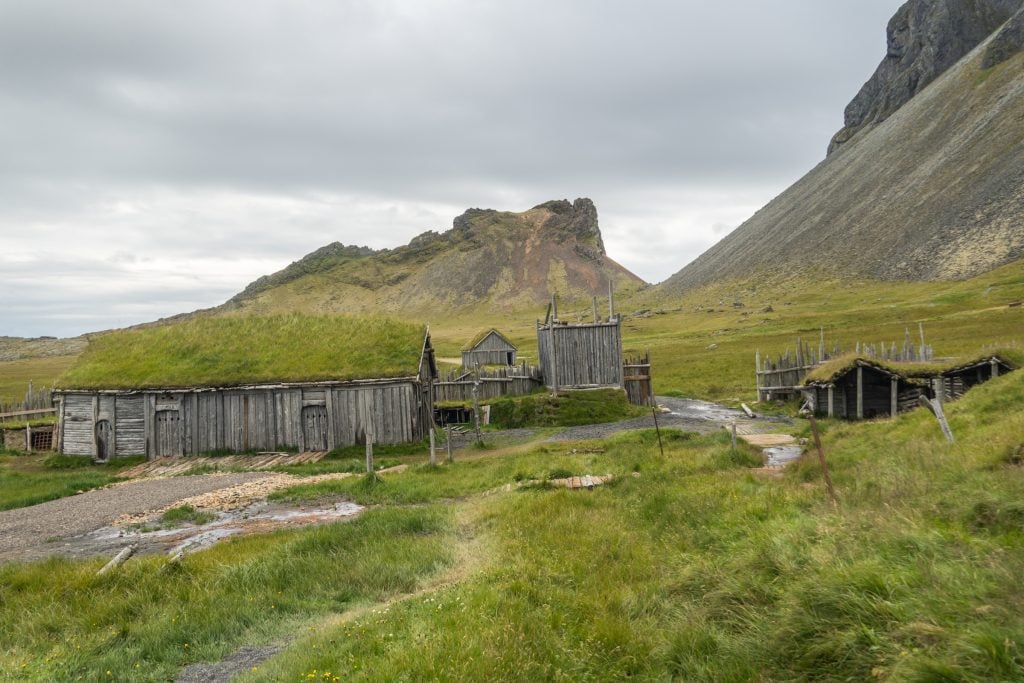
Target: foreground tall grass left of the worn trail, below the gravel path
[[146, 621]]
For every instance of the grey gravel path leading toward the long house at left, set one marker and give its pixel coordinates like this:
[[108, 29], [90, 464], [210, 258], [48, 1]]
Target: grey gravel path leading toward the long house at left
[[28, 534]]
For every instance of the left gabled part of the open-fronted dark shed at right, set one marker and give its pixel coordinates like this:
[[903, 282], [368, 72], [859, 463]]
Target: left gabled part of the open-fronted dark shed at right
[[862, 390]]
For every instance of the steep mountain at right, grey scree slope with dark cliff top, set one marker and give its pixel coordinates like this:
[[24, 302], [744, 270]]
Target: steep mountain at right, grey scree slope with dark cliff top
[[932, 189]]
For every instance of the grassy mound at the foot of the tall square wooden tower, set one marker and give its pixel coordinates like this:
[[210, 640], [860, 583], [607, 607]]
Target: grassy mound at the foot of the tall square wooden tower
[[565, 410]]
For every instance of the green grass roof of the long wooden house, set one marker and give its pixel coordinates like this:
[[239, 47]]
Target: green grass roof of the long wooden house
[[237, 351]]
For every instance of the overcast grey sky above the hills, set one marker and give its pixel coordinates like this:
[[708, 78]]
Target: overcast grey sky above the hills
[[156, 157]]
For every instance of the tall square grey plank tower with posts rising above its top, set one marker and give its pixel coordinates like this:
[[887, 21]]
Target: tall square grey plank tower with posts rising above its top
[[580, 357]]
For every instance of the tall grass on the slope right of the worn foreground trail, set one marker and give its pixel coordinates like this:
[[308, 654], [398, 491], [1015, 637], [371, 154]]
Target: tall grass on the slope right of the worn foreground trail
[[700, 571]]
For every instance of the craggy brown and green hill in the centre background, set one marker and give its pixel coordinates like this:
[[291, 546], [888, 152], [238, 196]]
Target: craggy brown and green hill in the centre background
[[502, 260]]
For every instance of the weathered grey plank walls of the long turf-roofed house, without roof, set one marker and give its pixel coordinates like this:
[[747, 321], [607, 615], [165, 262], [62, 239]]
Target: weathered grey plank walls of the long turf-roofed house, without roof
[[395, 408]]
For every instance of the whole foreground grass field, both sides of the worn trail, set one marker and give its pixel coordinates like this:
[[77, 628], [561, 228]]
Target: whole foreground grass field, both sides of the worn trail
[[692, 567]]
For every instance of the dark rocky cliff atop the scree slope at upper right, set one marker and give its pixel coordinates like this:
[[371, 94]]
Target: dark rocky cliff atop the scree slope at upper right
[[924, 39]]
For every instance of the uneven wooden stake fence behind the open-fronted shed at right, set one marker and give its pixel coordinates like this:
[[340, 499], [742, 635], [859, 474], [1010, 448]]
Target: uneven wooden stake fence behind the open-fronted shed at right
[[779, 378]]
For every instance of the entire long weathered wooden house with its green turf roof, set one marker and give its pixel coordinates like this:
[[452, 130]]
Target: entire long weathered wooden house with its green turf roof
[[238, 385]]
